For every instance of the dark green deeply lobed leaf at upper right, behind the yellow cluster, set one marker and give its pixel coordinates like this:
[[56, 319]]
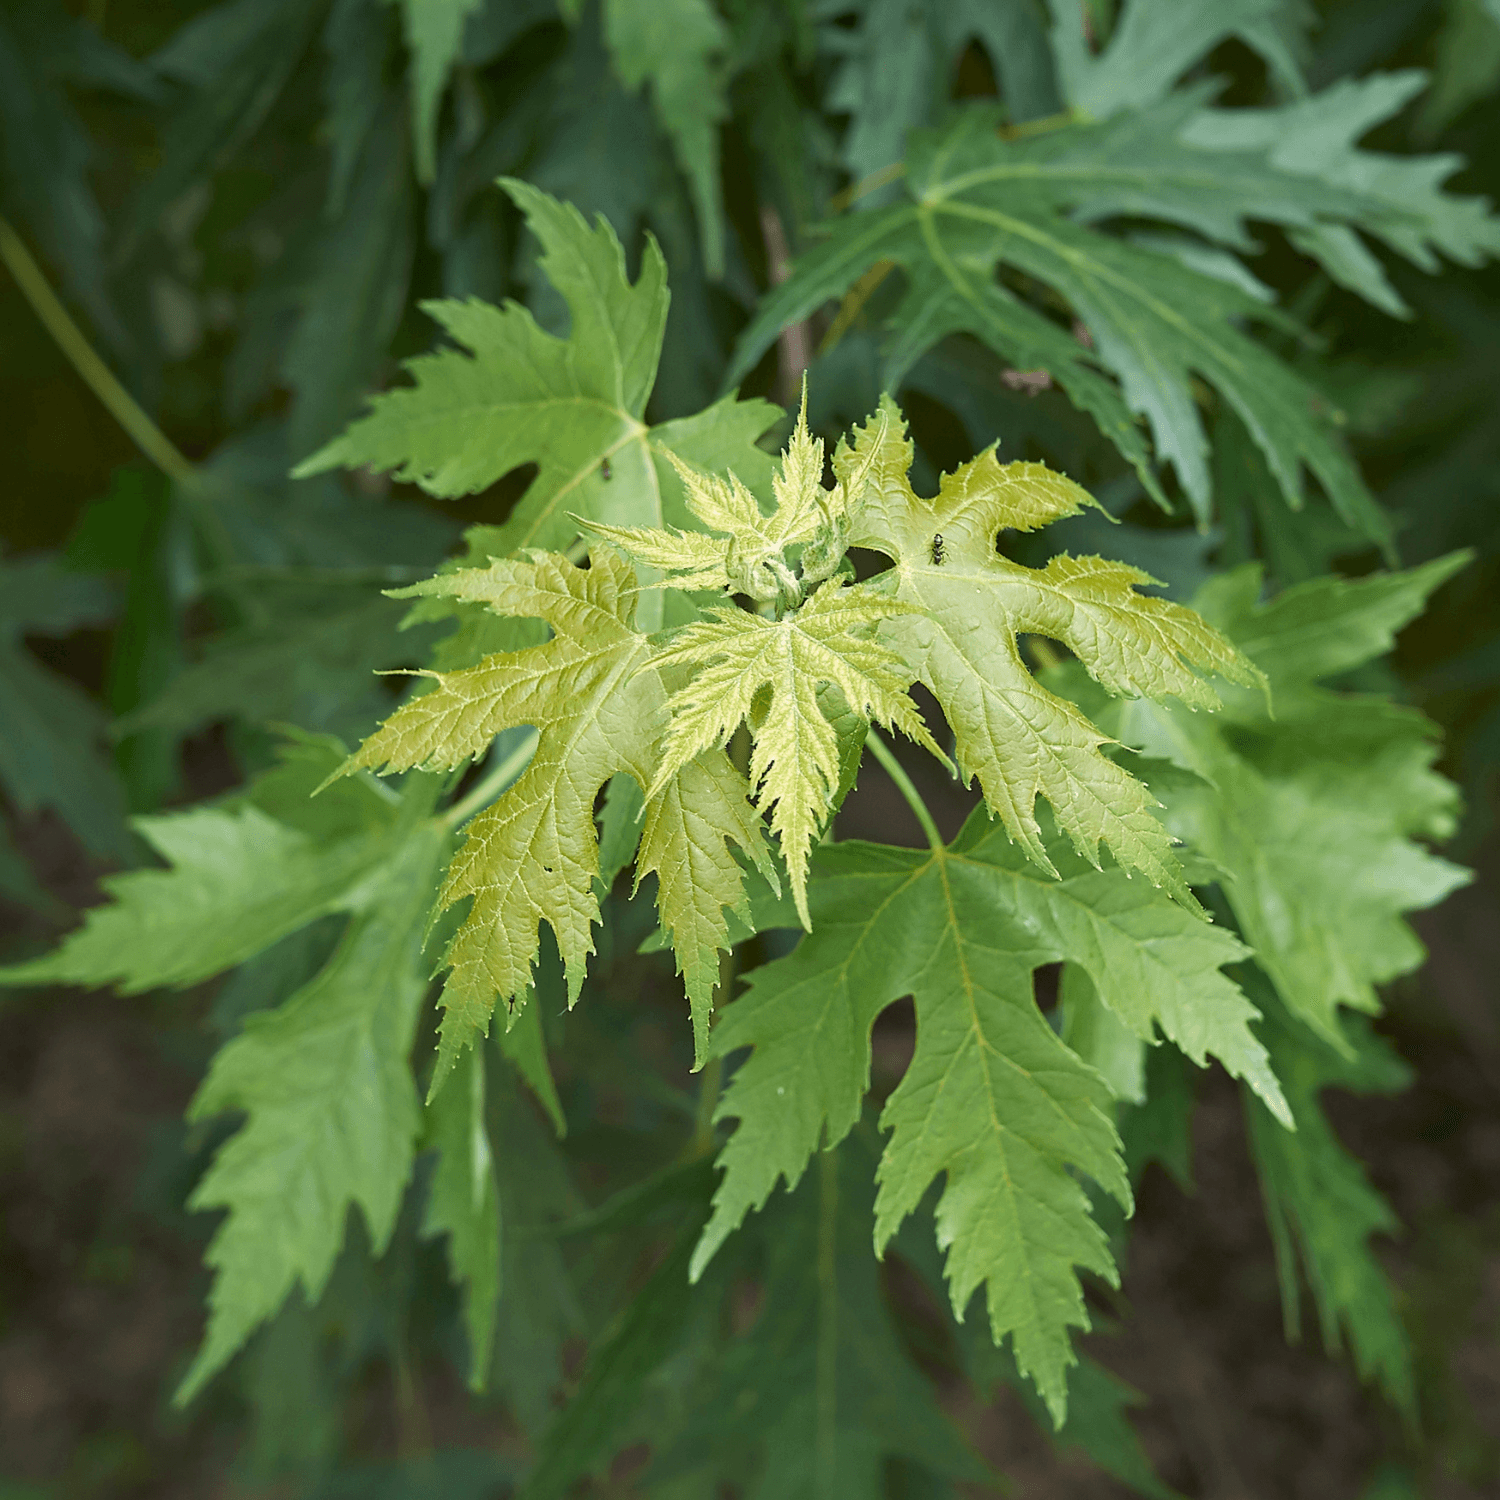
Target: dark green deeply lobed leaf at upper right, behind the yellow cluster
[[979, 202]]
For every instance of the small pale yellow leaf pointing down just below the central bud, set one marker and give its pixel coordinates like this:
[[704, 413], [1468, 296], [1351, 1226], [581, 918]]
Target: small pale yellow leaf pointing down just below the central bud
[[767, 673]]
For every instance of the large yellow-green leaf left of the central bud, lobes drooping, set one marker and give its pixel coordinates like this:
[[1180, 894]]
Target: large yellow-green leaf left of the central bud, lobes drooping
[[533, 856]]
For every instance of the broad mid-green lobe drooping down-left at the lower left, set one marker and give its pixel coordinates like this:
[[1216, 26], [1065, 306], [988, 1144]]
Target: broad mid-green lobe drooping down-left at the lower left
[[332, 1112]]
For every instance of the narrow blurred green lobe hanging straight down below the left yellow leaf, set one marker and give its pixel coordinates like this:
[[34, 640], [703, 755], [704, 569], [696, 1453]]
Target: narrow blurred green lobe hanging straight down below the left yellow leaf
[[464, 1204]]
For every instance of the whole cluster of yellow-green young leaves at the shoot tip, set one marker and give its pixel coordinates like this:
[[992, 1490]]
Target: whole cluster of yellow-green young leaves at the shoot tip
[[610, 701]]
